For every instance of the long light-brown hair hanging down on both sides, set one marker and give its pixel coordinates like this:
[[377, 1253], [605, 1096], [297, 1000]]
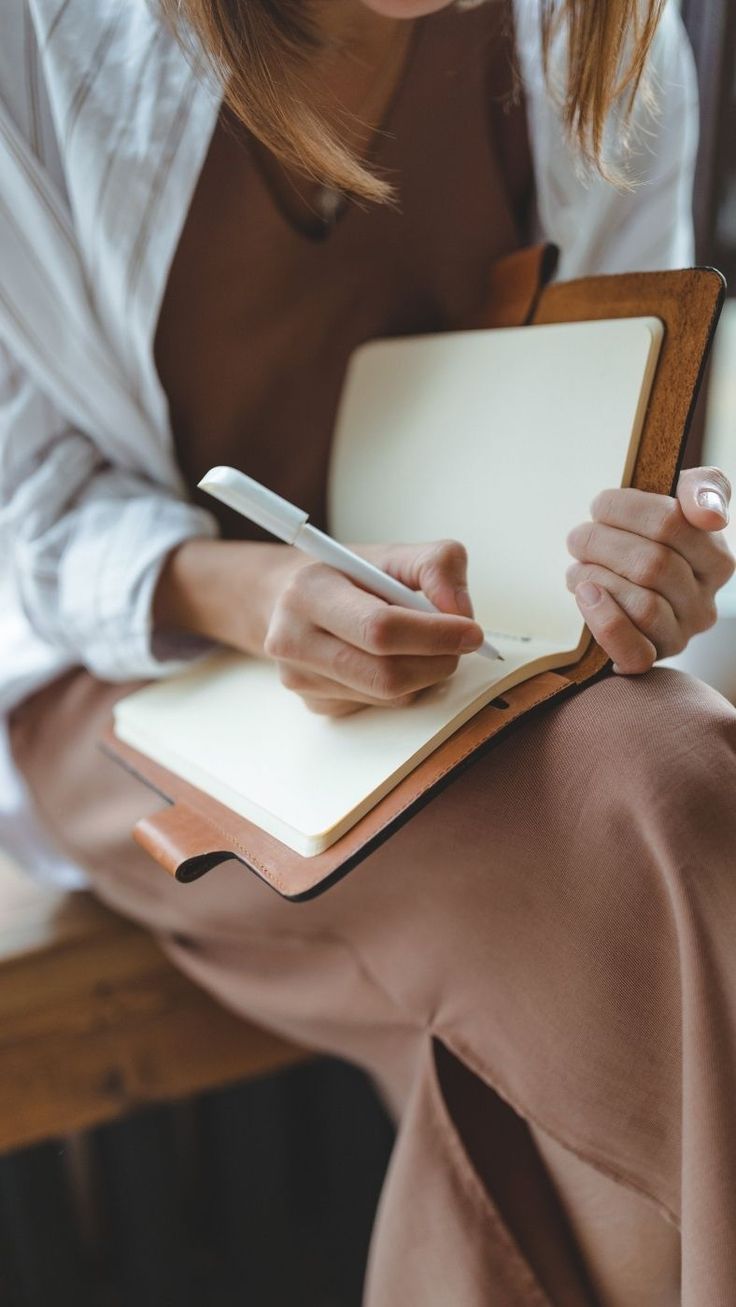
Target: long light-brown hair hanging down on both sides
[[261, 49]]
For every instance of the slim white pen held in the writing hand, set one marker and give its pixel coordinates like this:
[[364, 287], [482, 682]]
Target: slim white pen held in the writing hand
[[288, 523]]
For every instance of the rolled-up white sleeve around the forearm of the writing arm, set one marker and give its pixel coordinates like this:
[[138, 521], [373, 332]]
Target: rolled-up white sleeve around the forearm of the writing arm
[[84, 540]]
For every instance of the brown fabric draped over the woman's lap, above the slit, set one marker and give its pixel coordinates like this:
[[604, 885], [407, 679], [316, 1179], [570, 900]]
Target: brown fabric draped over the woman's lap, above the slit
[[561, 918]]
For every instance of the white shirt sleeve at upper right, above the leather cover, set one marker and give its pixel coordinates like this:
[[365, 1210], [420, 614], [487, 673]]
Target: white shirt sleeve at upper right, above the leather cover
[[602, 228]]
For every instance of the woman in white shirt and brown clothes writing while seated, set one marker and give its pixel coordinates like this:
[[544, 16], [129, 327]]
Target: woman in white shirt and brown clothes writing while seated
[[538, 969]]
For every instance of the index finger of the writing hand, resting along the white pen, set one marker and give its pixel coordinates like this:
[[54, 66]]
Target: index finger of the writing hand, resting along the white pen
[[355, 616]]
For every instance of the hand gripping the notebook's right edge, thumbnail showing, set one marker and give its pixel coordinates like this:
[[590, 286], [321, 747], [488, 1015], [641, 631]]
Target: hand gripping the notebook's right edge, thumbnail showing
[[649, 568]]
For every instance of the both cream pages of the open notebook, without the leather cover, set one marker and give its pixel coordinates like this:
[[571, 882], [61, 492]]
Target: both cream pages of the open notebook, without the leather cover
[[497, 438]]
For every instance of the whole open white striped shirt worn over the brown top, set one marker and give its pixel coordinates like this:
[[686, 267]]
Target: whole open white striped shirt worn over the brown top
[[105, 126]]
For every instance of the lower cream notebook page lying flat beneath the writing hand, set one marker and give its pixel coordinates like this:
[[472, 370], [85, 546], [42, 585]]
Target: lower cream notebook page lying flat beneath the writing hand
[[229, 727]]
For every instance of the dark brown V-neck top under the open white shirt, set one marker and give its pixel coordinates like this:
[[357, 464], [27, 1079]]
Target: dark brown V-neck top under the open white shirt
[[259, 318]]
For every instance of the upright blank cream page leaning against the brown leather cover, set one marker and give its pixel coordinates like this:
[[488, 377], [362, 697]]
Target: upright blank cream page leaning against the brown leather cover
[[500, 440]]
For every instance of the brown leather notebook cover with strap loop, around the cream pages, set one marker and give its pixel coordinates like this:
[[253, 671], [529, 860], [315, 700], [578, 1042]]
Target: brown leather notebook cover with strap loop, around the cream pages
[[194, 833]]
